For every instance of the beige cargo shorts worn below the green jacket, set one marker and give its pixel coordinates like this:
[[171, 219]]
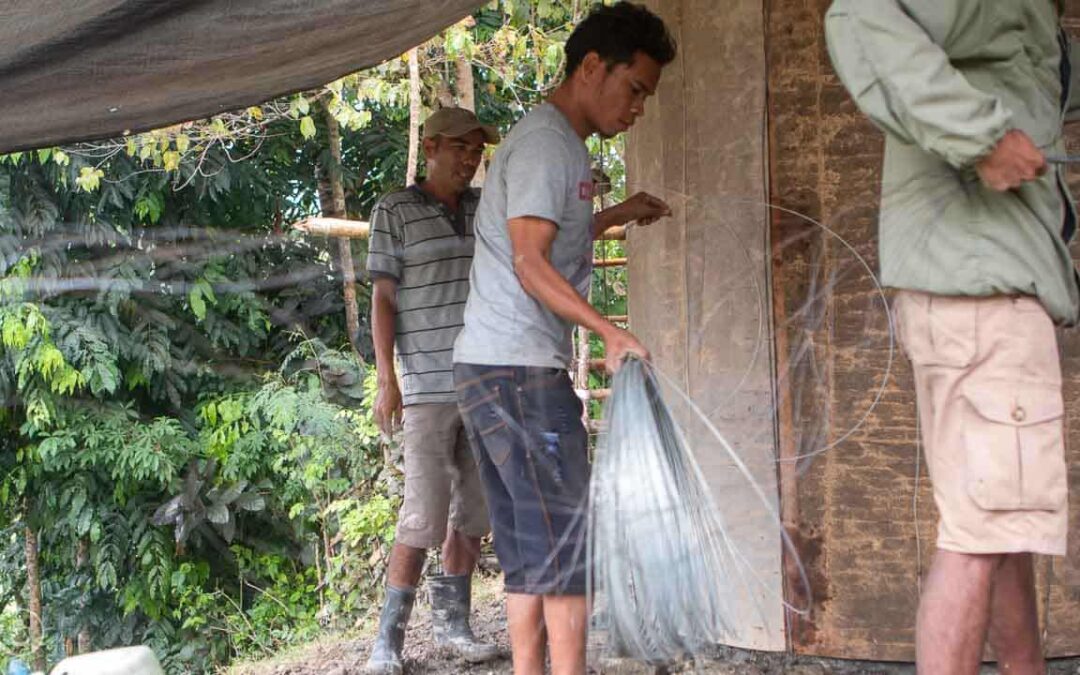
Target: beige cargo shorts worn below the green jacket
[[989, 385]]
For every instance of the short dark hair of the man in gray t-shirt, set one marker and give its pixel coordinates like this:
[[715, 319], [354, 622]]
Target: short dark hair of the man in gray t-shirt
[[616, 34]]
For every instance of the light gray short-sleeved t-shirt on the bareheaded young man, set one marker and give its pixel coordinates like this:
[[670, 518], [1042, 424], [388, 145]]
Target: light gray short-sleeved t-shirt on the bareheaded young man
[[542, 170]]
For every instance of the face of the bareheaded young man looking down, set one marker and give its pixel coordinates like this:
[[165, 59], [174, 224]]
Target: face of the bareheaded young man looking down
[[619, 93]]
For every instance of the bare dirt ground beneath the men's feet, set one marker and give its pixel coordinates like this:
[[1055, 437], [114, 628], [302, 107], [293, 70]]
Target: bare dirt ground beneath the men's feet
[[346, 655]]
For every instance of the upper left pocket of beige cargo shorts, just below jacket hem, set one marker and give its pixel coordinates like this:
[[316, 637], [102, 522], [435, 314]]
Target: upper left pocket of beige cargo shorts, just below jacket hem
[[937, 330]]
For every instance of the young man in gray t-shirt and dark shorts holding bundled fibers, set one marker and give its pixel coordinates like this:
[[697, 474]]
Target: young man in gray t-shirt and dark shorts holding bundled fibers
[[531, 275]]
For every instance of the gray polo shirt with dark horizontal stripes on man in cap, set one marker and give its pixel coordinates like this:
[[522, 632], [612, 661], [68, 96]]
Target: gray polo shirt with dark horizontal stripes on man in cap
[[428, 249]]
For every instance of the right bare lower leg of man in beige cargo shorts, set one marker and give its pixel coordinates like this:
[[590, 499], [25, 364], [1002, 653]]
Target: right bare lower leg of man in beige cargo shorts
[[1015, 622]]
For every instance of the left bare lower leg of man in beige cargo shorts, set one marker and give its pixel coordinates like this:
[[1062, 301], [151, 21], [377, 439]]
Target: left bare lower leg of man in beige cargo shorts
[[954, 614]]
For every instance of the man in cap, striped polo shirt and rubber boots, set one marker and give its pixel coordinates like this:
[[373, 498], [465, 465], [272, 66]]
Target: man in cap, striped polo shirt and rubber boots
[[421, 253]]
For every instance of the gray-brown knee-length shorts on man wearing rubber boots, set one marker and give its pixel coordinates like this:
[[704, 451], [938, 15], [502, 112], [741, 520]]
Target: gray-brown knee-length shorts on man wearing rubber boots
[[442, 484]]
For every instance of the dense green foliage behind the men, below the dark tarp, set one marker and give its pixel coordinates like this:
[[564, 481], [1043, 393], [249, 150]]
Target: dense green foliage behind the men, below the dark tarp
[[186, 426]]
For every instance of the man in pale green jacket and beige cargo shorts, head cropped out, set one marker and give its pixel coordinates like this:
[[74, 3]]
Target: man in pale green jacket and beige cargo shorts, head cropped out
[[974, 231]]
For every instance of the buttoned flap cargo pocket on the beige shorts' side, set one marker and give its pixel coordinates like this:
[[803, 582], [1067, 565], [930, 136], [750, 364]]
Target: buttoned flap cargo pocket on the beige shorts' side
[[1015, 447]]
